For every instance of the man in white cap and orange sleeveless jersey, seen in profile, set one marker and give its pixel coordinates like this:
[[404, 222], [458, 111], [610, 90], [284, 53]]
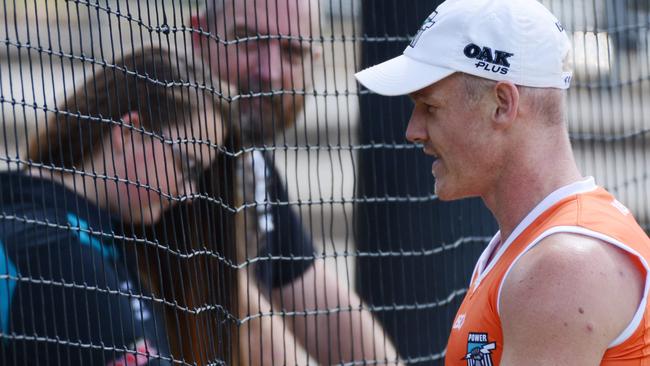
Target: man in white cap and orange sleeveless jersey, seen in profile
[[564, 281]]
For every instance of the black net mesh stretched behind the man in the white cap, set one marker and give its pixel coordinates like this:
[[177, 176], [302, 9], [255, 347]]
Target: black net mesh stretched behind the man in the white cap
[[204, 182]]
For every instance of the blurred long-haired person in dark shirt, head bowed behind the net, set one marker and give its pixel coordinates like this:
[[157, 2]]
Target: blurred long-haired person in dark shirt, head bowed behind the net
[[122, 148]]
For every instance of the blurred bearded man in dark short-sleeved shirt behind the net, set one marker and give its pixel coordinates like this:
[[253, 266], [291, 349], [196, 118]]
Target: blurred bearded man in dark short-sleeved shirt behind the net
[[258, 46]]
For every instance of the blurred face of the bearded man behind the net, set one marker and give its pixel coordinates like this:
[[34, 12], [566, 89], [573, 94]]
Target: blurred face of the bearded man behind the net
[[266, 70]]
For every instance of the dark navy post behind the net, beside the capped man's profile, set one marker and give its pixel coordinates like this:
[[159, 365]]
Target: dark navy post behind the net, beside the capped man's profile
[[423, 227]]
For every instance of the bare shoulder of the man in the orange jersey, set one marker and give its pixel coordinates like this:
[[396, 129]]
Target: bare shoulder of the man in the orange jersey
[[571, 291]]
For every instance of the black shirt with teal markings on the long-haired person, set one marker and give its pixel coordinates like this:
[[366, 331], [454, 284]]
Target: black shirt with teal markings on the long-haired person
[[68, 292]]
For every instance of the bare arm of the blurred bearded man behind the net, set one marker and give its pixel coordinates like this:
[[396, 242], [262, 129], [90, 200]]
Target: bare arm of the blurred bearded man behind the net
[[340, 332]]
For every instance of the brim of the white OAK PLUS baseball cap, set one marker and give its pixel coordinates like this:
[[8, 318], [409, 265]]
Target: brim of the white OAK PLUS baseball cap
[[401, 75]]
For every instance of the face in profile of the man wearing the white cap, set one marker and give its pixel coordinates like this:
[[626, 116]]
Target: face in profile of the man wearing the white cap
[[459, 134]]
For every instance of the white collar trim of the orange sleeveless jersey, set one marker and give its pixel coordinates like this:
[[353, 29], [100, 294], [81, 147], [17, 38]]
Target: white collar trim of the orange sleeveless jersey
[[582, 186]]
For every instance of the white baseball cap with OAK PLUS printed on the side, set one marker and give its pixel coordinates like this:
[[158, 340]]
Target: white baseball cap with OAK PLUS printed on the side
[[515, 40]]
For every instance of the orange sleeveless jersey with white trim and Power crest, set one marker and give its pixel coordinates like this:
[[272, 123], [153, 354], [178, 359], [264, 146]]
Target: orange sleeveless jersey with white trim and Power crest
[[476, 338]]
